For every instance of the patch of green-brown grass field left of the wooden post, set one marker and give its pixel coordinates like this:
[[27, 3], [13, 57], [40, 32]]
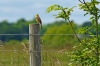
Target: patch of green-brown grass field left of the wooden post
[[13, 56]]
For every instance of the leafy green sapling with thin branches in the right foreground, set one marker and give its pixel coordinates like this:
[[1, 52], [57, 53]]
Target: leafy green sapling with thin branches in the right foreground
[[87, 53]]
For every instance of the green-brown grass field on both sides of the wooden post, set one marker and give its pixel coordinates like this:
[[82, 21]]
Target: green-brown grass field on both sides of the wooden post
[[18, 55]]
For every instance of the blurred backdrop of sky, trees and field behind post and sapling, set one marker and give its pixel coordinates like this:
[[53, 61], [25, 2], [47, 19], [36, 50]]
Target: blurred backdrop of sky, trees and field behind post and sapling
[[57, 35]]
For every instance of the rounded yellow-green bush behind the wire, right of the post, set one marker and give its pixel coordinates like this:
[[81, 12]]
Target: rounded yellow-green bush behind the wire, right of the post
[[59, 39]]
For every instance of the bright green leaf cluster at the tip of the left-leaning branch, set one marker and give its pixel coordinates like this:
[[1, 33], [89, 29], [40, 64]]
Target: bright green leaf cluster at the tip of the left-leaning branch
[[64, 12]]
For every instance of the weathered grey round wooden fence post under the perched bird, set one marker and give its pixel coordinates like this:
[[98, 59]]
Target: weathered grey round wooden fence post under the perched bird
[[34, 45]]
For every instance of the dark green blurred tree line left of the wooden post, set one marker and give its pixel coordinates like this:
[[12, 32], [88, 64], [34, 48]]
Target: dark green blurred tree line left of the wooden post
[[19, 27]]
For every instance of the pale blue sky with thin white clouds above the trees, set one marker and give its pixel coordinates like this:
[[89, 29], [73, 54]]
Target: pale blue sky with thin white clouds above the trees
[[12, 10]]
